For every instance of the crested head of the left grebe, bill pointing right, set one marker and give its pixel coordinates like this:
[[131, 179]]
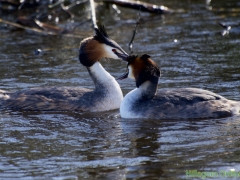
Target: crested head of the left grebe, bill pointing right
[[99, 46]]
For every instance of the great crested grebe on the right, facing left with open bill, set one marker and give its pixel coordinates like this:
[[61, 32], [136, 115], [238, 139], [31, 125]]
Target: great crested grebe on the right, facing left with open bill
[[178, 103]]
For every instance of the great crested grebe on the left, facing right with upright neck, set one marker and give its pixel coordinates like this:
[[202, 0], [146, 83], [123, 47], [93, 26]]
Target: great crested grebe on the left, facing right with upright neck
[[107, 94]]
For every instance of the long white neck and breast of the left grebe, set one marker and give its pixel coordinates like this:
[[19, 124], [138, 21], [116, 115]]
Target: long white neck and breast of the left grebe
[[107, 85]]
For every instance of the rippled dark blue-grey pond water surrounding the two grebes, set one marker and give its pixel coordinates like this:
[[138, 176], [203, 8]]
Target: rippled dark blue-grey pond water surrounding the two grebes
[[191, 52]]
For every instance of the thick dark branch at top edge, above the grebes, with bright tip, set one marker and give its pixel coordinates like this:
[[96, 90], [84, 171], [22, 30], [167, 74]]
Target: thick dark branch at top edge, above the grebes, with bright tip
[[138, 5]]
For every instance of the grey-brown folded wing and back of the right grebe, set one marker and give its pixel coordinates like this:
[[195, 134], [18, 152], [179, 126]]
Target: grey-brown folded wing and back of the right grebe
[[185, 103]]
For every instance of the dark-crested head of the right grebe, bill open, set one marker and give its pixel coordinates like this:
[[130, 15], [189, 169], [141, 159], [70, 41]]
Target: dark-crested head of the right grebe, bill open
[[141, 69]]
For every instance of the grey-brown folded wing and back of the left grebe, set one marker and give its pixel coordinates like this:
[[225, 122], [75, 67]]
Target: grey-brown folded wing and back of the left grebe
[[46, 99]]
